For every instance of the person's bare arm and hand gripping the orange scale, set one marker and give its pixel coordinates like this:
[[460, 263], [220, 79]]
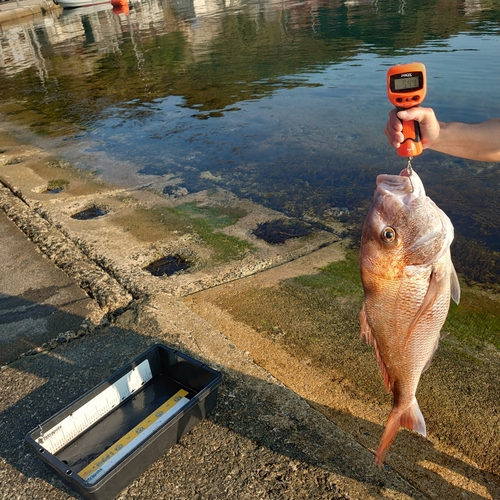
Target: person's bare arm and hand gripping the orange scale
[[480, 141]]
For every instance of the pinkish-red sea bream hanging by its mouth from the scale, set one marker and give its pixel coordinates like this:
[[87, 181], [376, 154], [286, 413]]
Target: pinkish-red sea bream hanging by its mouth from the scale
[[408, 278]]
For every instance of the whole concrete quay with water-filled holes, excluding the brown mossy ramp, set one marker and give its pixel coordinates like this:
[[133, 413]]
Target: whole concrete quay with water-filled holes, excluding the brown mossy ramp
[[77, 304]]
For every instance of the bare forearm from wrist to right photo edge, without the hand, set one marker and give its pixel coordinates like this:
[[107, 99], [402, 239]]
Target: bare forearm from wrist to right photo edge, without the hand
[[473, 141]]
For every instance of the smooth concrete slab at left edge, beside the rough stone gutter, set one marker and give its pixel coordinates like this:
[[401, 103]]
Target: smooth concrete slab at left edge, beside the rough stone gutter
[[38, 301]]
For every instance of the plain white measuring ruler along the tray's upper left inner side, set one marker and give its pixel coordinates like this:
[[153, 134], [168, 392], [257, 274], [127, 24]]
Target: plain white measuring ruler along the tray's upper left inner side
[[73, 425]]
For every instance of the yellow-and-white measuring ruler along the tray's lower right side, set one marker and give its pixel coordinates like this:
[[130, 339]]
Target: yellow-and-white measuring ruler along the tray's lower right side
[[115, 453]]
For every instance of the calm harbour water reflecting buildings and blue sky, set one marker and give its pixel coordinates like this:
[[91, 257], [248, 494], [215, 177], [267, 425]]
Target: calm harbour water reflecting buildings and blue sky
[[283, 102]]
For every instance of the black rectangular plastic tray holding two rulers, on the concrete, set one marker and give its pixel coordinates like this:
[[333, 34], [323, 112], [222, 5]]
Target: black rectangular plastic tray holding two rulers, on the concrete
[[114, 432]]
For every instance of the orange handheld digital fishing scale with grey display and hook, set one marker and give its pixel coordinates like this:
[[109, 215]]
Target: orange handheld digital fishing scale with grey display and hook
[[406, 88]]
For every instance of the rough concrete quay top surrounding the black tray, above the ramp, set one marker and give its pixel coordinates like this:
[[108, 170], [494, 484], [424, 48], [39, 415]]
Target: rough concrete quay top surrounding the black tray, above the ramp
[[262, 441]]
